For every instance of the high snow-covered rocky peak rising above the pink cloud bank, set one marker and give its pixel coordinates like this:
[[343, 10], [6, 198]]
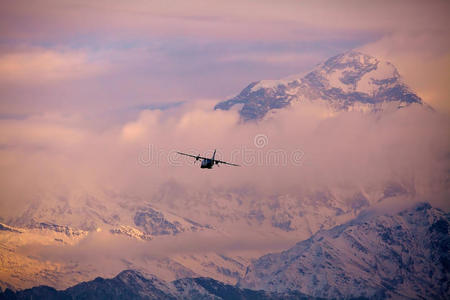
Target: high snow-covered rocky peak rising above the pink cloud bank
[[349, 81]]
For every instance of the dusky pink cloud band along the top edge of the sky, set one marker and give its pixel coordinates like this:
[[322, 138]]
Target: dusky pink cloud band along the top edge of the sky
[[231, 19]]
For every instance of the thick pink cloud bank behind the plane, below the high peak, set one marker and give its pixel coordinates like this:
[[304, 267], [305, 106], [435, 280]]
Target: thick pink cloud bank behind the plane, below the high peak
[[304, 149]]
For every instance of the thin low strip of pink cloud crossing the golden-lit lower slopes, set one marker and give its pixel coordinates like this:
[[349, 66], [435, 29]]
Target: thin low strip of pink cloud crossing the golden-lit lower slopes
[[100, 245]]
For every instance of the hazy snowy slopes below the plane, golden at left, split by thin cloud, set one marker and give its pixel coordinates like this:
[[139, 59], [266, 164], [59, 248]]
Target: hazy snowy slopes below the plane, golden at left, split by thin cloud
[[57, 223]]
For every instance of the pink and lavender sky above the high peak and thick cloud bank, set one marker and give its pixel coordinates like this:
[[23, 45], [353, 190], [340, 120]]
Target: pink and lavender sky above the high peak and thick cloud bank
[[113, 58]]
